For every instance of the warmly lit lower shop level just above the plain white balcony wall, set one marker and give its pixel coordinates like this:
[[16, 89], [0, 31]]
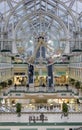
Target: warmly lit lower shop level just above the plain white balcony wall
[[41, 104]]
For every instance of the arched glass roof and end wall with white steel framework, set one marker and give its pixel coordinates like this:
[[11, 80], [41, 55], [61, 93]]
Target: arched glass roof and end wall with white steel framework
[[33, 24]]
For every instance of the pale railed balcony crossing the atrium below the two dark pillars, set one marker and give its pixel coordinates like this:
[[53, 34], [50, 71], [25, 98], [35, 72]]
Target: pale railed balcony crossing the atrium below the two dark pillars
[[23, 91]]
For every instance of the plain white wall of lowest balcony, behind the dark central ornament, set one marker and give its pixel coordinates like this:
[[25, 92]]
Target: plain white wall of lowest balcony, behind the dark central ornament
[[51, 117]]
